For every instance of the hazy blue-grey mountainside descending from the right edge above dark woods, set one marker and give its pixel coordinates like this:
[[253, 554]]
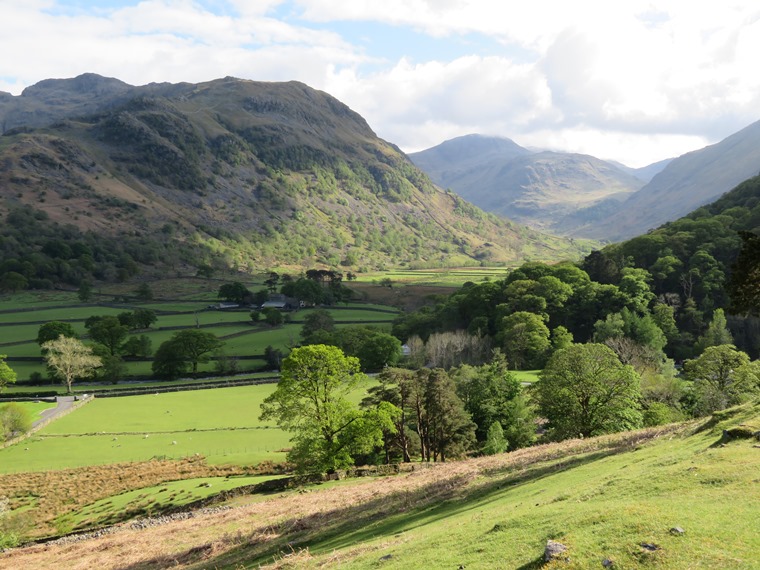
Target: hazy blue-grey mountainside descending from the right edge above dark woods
[[686, 183]]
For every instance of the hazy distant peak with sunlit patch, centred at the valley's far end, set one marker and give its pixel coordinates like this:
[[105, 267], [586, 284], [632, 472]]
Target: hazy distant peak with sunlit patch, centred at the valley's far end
[[557, 192]]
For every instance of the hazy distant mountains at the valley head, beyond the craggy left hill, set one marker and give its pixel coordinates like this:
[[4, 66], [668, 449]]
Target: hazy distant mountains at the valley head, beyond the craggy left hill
[[582, 196]]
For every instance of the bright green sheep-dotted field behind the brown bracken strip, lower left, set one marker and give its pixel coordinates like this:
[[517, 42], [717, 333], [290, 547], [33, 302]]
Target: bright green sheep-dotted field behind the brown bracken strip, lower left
[[221, 424]]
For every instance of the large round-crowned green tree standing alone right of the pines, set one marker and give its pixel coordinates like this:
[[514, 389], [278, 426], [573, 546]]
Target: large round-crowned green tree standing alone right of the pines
[[586, 391]]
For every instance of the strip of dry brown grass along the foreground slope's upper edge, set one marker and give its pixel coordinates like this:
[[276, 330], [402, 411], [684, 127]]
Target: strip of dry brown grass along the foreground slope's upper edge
[[276, 527]]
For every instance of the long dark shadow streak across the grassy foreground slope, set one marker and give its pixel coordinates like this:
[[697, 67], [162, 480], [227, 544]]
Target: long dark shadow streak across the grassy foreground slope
[[385, 516]]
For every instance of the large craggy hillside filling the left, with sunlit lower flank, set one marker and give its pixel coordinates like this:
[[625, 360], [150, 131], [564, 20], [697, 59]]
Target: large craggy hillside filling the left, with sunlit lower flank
[[235, 174]]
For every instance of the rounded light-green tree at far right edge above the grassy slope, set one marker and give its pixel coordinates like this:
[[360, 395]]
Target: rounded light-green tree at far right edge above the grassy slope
[[719, 379]]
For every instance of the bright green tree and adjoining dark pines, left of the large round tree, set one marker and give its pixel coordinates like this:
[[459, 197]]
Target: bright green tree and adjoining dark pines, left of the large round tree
[[428, 413]]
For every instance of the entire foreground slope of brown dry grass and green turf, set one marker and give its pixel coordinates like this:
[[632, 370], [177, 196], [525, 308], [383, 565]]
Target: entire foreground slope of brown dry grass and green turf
[[603, 498]]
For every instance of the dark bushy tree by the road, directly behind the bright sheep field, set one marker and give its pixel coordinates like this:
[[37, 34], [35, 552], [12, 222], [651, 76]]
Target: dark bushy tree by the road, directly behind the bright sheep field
[[185, 349]]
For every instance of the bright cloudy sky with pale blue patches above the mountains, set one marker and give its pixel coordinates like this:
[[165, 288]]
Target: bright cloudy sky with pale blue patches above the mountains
[[627, 80]]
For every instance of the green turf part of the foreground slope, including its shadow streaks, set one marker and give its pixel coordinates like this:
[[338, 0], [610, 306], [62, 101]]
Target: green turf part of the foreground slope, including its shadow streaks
[[611, 504]]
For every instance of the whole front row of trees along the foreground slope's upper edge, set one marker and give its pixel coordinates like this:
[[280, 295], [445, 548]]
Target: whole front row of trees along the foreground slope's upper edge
[[433, 414]]
